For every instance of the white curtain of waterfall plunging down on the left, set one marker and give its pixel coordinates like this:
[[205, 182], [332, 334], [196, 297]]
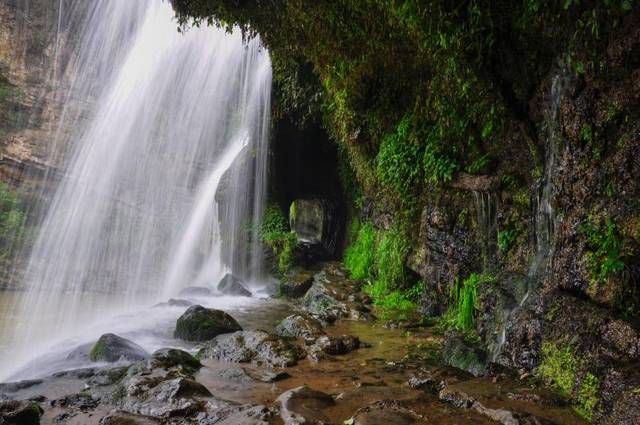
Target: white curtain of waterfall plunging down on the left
[[165, 116]]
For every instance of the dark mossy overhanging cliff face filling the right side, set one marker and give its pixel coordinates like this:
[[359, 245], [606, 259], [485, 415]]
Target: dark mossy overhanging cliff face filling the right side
[[488, 150]]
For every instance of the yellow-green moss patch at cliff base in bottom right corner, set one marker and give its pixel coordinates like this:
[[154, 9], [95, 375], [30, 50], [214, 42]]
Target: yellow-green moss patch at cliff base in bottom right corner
[[560, 366]]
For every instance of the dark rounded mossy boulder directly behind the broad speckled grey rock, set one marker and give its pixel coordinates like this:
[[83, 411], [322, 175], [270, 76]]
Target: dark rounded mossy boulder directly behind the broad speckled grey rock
[[202, 324]]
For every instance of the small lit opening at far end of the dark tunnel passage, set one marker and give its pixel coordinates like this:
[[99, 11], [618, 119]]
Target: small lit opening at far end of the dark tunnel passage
[[306, 219]]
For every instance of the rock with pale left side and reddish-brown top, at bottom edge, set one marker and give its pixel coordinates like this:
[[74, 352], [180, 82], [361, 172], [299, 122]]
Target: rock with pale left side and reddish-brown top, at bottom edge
[[302, 405]]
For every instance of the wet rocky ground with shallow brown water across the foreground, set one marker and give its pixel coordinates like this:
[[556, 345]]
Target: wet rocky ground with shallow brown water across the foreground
[[330, 361]]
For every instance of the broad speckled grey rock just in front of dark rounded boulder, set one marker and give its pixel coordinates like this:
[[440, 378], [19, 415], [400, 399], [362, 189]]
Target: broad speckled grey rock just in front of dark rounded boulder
[[256, 347]]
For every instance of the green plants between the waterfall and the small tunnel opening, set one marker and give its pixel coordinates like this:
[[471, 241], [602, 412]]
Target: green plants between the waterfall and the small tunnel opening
[[275, 233]]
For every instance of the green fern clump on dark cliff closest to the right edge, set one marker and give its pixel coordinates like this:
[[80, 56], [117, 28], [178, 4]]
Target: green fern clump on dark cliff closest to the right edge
[[605, 244]]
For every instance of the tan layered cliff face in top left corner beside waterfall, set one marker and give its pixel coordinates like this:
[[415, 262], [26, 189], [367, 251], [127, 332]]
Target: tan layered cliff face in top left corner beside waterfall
[[34, 76]]
